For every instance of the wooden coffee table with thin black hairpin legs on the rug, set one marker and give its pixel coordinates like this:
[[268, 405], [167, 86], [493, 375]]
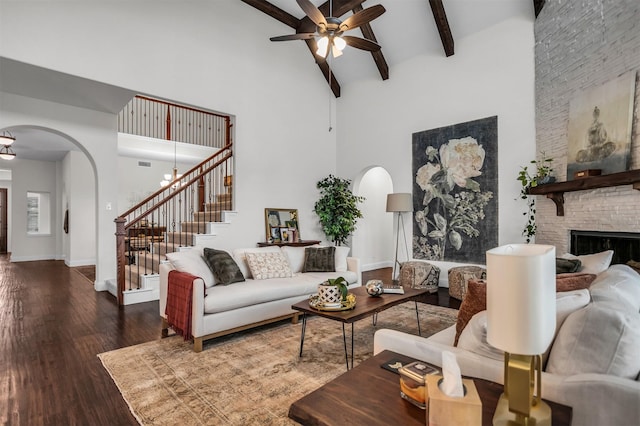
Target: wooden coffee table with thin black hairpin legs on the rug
[[365, 306]]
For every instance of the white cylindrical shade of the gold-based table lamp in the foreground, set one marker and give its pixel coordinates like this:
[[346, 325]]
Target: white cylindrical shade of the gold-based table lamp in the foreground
[[521, 299]]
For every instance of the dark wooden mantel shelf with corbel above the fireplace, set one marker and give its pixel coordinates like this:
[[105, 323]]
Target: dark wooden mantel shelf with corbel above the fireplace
[[555, 191]]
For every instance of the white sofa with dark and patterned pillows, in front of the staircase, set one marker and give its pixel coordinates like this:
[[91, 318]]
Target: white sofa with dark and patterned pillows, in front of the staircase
[[225, 309]]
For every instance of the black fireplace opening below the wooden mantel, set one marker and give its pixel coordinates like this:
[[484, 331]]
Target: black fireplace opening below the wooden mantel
[[625, 245]]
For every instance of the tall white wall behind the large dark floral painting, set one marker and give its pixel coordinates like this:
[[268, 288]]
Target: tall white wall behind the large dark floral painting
[[490, 74]]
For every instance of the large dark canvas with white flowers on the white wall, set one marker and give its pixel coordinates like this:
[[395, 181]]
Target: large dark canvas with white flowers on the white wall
[[455, 191]]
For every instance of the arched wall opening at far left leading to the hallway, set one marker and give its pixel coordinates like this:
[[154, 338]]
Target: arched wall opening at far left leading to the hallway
[[52, 179]]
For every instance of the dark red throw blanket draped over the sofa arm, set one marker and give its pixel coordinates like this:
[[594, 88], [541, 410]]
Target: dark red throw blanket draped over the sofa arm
[[179, 302]]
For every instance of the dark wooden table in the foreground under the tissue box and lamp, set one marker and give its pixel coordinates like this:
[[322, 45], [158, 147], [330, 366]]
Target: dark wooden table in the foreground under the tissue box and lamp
[[370, 395]]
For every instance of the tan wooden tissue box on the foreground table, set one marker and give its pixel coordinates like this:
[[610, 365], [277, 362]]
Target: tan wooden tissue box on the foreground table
[[444, 410]]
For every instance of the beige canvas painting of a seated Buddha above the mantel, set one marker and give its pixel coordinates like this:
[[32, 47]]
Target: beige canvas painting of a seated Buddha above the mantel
[[600, 123]]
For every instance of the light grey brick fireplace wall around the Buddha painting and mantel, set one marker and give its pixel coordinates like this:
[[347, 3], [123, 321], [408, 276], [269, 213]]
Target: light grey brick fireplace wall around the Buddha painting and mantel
[[581, 45]]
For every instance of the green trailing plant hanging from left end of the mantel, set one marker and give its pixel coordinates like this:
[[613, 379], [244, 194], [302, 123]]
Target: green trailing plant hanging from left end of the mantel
[[530, 179]]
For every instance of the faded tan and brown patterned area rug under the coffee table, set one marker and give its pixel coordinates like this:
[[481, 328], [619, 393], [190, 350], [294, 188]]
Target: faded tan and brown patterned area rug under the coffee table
[[248, 378]]
